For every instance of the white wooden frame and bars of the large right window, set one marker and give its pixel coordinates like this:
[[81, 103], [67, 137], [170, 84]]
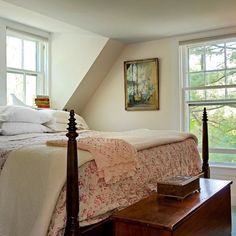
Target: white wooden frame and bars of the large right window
[[186, 103]]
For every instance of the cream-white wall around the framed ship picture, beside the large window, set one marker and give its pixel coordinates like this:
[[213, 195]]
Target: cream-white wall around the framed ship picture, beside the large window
[[106, 109]]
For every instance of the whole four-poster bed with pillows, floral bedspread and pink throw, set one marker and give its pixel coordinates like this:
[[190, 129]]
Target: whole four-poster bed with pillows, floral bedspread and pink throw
[[116, 170]]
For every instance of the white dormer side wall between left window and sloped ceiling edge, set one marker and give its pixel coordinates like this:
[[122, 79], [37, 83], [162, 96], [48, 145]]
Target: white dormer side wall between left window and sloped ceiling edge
[[73, 54]]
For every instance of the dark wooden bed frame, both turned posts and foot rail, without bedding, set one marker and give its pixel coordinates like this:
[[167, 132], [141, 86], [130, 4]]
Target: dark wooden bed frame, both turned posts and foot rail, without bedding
[[72, 197]]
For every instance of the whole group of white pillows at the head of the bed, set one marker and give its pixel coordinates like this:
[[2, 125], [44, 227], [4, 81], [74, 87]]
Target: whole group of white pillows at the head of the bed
[[20, 120]]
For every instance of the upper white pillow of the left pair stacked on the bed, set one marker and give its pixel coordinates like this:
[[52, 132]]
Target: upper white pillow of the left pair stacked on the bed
[[23, 114]]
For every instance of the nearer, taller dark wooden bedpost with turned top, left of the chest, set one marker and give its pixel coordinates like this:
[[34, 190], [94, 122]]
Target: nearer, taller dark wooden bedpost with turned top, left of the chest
[[72, 190]]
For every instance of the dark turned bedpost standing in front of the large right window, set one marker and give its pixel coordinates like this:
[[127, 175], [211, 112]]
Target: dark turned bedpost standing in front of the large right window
[[205, 148]]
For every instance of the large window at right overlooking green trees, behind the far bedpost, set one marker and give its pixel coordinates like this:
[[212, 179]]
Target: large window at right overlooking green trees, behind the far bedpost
[[209, 80]]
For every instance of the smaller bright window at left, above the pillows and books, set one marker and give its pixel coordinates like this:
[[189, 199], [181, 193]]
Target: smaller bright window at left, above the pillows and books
[[26, 66]]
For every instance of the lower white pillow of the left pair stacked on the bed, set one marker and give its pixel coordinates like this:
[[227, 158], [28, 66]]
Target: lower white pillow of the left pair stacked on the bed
[[14, 128]]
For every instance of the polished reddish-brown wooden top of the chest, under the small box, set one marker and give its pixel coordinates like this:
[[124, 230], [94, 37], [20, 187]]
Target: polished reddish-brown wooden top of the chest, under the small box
[[169, 211]]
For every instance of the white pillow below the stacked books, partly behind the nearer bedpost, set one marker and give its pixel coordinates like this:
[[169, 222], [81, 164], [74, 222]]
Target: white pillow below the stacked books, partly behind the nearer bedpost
[[63, 118]]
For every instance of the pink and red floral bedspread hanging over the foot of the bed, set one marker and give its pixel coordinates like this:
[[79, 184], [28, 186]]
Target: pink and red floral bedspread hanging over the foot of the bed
[[98, 200]]
